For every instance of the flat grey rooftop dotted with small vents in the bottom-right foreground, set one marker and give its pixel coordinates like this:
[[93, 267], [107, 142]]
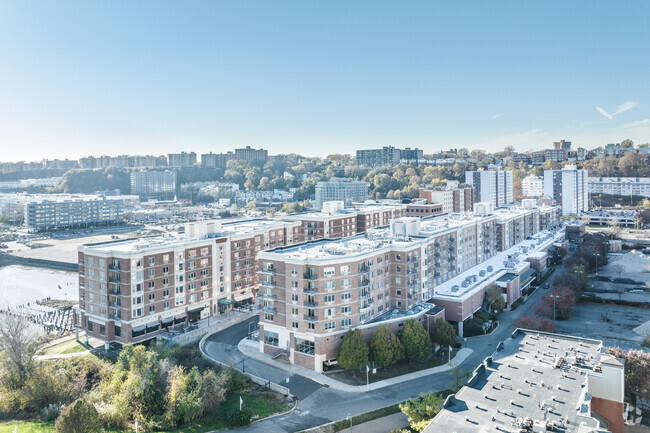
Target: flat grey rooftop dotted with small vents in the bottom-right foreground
[[534, 376]]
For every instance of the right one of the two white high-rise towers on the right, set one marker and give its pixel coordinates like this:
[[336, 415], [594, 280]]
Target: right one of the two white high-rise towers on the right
[[568, 188]]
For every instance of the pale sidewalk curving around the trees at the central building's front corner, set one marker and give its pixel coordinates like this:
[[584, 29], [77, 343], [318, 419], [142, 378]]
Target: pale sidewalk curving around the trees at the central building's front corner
[[251, 349]]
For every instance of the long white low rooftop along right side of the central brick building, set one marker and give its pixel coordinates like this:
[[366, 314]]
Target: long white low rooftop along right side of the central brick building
[[497, 266]]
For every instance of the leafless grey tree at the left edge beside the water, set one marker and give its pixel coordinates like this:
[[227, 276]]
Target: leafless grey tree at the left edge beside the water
[[17, 340]]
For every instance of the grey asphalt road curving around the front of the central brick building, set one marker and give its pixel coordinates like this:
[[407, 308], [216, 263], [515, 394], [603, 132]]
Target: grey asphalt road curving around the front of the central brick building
[[318, 405]]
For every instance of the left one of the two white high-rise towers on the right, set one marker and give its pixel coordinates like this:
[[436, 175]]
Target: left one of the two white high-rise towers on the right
[[491, 186]]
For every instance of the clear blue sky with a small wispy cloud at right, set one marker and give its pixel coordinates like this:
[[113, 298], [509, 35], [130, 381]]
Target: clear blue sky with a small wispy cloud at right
[[318, 77]]
